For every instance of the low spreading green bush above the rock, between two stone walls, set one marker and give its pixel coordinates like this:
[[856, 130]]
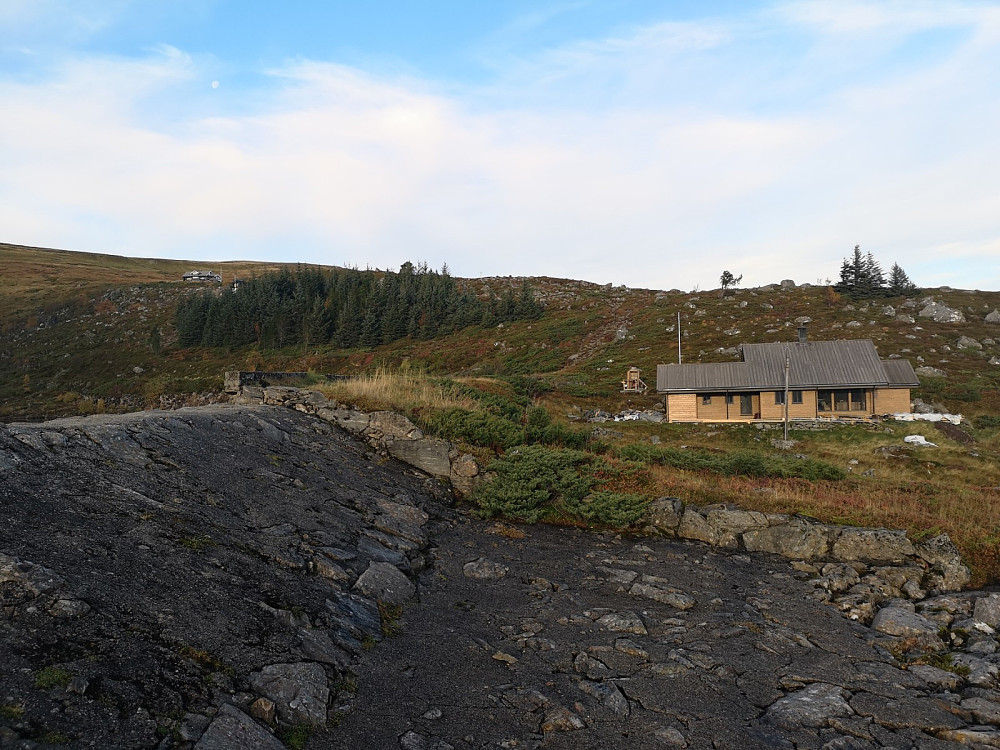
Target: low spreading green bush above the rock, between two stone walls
[[531, 482]]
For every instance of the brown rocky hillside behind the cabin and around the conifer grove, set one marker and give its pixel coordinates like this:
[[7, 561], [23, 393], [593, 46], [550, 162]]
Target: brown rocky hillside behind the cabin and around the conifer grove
[[84, 332]]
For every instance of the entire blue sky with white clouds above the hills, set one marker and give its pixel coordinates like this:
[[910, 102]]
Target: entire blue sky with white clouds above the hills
[[653, 144]]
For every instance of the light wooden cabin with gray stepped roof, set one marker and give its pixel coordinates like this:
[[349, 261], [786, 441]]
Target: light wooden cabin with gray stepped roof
[[826, 379]]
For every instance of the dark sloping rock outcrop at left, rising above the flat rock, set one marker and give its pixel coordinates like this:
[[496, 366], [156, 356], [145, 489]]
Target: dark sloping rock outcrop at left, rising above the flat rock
[[203, 577]]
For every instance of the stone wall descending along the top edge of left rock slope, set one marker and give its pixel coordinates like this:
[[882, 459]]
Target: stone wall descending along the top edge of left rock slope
[[387, 432]]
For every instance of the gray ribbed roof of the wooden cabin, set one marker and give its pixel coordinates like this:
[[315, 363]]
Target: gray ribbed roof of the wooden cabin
[[814, 364]]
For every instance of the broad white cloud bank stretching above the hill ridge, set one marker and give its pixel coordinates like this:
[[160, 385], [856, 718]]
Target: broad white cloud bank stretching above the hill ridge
[[325, 163]]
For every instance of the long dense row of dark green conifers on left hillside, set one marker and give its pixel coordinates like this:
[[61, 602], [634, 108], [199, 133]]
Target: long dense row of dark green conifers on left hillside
[[344, 307]]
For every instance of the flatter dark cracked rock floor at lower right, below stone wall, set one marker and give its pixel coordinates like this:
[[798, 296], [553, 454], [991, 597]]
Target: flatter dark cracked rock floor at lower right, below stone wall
[[594, 640]]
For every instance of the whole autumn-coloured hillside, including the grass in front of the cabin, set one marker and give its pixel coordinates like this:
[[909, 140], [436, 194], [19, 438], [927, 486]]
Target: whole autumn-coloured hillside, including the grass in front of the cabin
[[77, 339]]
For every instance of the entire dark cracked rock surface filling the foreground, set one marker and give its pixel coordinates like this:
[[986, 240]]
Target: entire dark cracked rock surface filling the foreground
[[235, 577]]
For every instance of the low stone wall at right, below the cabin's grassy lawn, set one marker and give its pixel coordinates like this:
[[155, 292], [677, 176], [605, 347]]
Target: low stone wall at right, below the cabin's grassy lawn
[[854, 568]]
